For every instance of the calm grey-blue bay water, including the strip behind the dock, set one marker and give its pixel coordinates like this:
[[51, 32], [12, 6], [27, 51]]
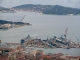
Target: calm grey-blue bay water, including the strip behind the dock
[[43, 26]]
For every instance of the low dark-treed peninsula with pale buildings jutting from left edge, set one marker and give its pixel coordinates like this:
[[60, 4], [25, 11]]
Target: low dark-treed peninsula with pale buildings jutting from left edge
[[9, 24]]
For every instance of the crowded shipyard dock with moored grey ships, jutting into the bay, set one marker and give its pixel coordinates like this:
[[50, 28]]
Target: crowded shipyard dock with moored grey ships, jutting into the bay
[[53, 42]]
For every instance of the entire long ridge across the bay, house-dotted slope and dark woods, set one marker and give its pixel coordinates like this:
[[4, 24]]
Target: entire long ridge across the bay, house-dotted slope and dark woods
[[48, 9]]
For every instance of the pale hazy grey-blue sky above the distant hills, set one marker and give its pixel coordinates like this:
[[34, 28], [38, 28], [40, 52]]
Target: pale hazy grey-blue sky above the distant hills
[[68, 3]]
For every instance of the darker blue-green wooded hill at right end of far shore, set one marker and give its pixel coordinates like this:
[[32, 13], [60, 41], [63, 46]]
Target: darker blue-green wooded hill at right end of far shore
[[60, 10]]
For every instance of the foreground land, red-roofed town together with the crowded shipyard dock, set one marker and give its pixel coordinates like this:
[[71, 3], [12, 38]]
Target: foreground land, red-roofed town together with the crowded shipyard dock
[[25, 49]]
